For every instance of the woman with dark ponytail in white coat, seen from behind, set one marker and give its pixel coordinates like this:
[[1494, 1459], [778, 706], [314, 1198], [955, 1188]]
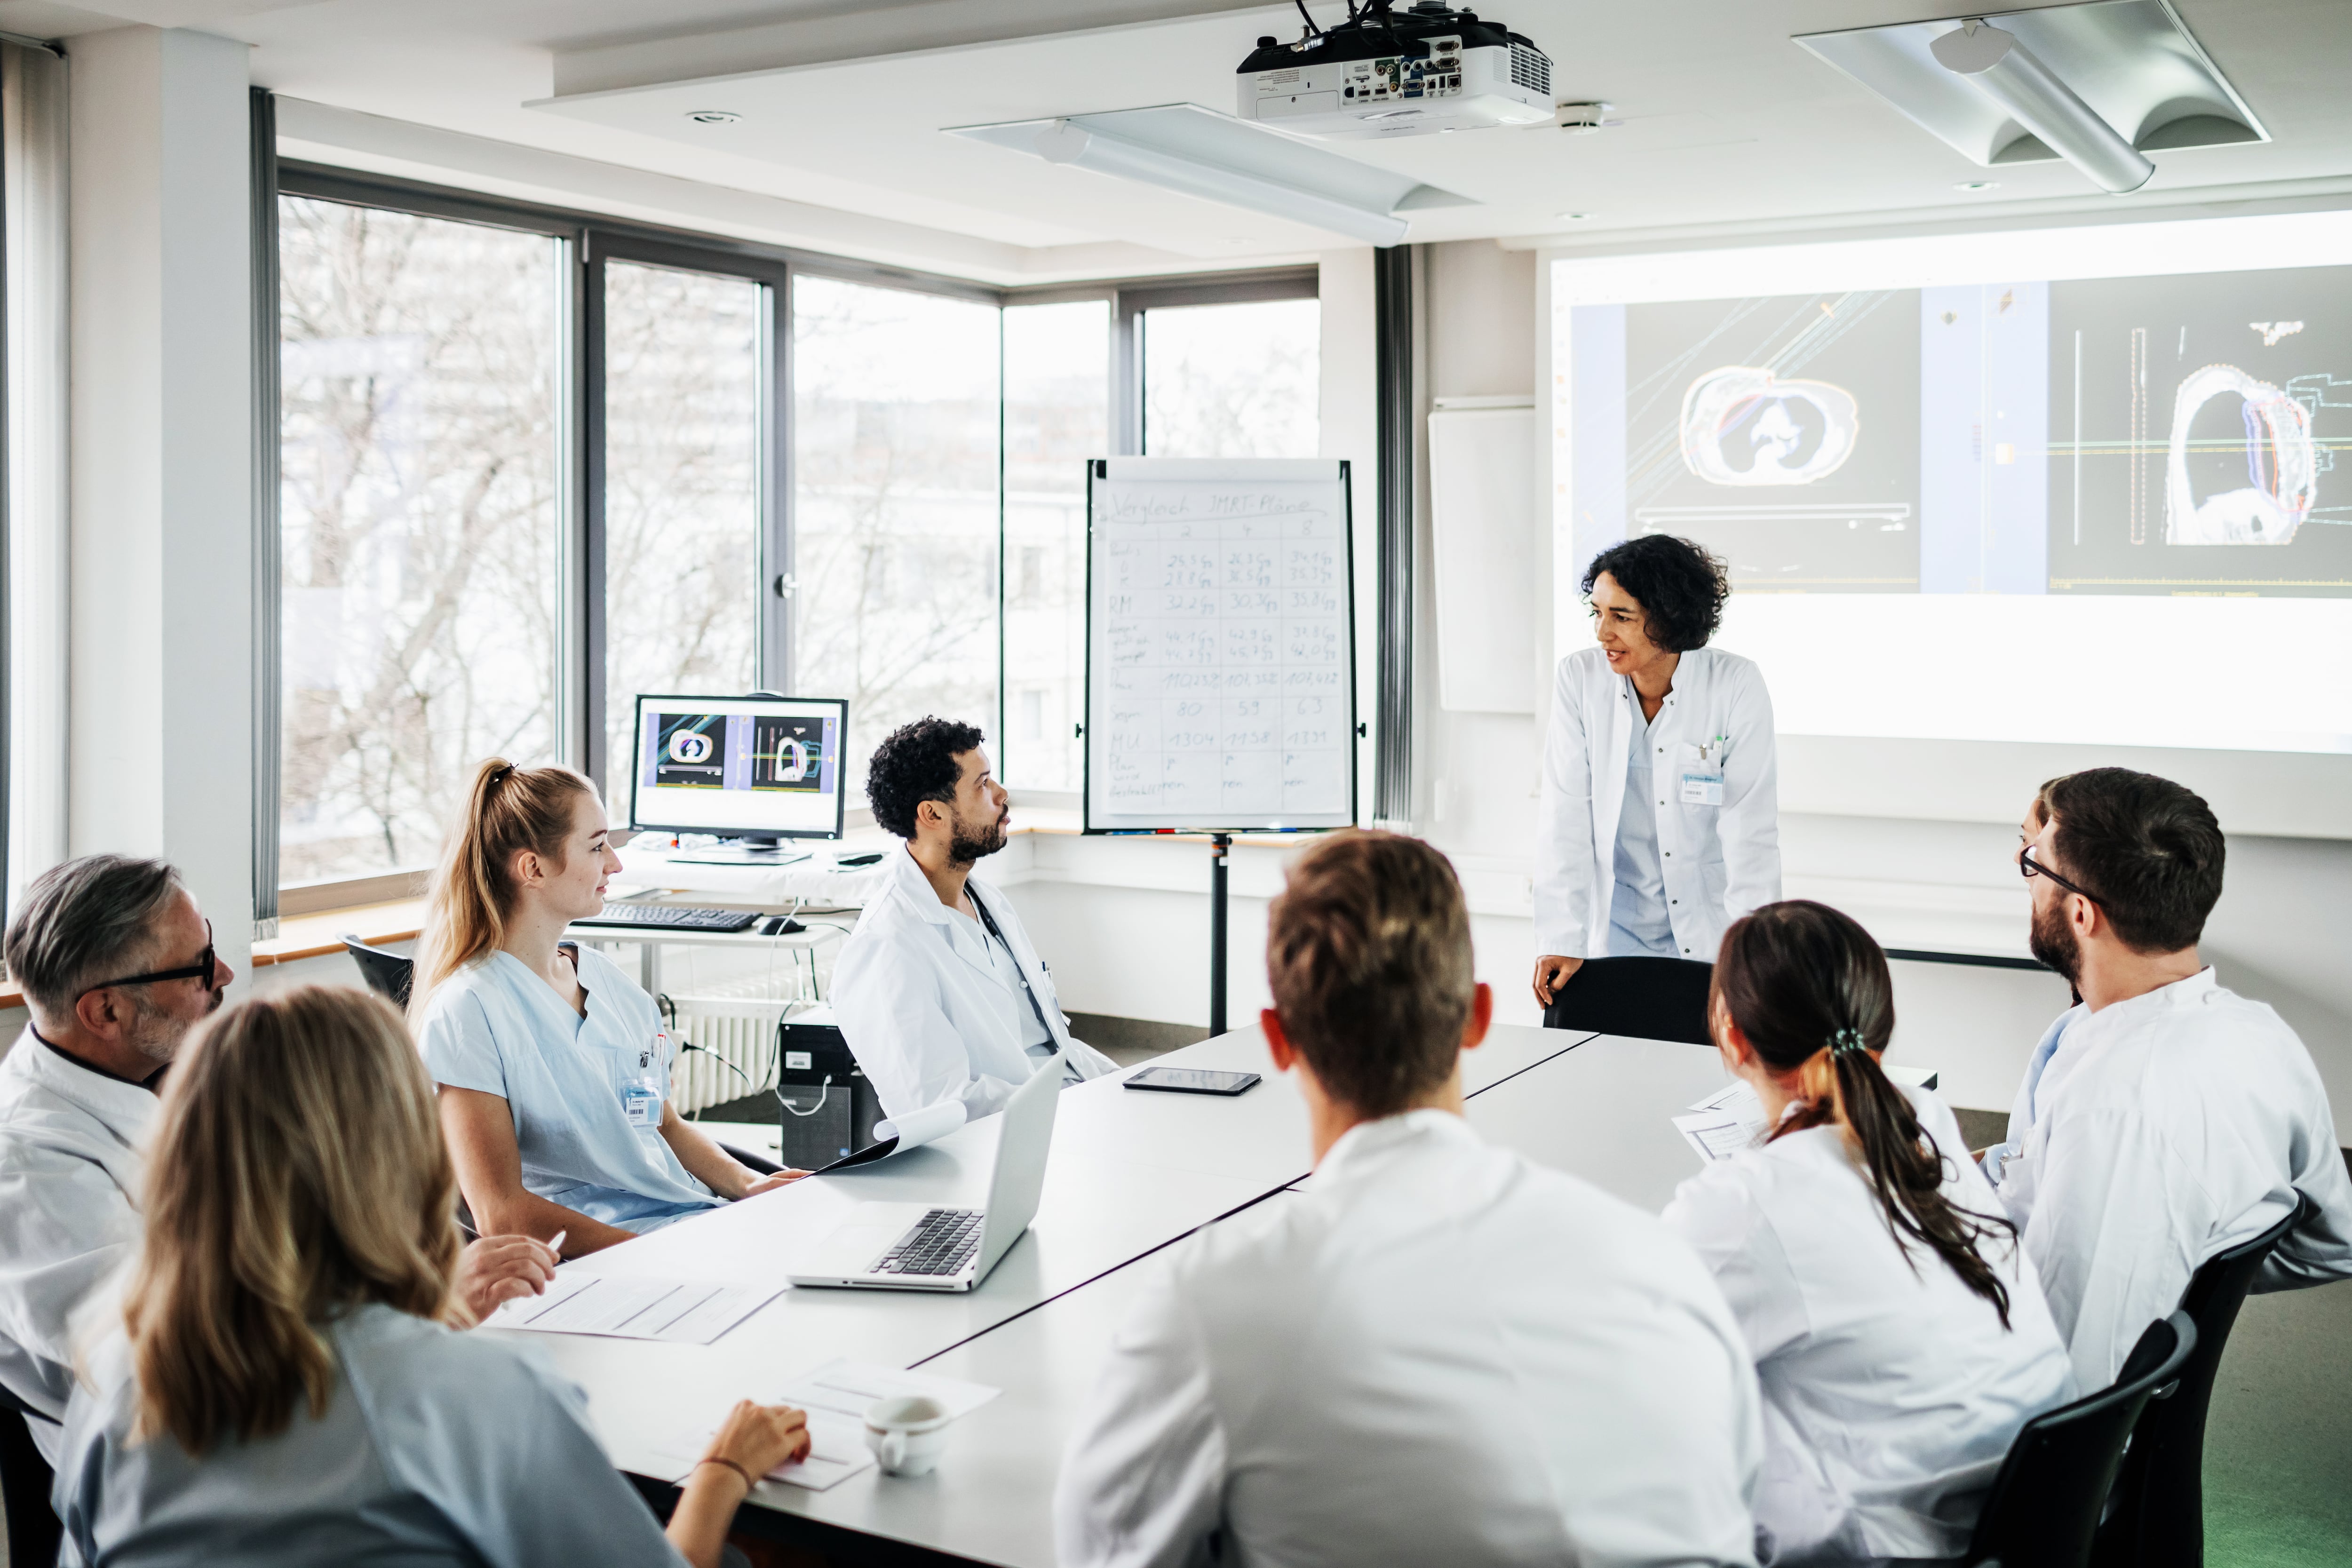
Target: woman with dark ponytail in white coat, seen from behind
[[1899, 1332]]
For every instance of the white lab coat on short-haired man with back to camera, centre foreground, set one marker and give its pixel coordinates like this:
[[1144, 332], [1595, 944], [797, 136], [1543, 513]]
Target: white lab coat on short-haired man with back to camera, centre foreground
[[1436, 1355]]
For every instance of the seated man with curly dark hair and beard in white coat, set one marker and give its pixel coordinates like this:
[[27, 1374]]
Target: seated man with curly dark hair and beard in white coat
[[940, 991]]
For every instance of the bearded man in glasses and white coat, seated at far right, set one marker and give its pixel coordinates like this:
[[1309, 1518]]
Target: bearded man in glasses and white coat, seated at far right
[[2163, 1118]]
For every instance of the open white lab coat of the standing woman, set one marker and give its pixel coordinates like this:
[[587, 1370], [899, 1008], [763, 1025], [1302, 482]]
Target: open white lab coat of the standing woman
[[1718, 859]]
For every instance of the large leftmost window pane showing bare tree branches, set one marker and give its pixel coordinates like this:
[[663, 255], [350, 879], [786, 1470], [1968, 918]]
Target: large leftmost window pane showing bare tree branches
[[420, 525]]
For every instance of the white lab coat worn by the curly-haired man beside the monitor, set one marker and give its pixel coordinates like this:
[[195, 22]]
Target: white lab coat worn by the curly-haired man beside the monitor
[[926, 1010]]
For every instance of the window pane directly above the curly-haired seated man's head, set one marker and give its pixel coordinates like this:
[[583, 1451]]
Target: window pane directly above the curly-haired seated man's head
[[895, 525]]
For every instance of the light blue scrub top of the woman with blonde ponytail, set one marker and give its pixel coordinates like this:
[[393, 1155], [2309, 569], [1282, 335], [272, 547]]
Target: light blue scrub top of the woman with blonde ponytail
[[502, 1031]]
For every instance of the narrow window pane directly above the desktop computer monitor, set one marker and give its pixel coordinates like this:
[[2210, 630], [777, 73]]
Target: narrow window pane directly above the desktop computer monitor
[[681, 495]]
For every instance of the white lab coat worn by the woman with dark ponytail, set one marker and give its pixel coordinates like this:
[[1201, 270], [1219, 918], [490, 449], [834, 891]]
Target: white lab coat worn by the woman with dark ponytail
[[1892, 1391]]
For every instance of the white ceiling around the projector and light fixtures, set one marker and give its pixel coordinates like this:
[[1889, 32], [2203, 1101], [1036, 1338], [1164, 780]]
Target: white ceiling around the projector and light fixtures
[[1730, 128]]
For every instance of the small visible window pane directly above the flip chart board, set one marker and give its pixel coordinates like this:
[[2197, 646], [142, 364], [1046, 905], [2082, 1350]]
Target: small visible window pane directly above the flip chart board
[[1234, 382]]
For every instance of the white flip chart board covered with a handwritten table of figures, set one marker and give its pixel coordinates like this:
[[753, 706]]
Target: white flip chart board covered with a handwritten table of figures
[[1220, 645]]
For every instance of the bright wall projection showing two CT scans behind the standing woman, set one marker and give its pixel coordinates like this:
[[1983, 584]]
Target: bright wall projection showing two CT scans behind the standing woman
[[2045, 488]]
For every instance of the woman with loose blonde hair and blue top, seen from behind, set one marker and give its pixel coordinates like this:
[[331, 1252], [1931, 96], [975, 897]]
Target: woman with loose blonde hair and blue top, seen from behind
[[283, 1386]]
